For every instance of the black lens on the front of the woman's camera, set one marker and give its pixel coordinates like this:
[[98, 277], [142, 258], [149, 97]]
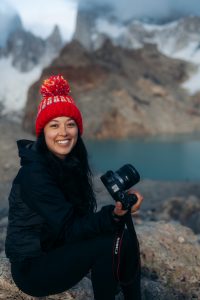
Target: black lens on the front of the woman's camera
[[129, 175]]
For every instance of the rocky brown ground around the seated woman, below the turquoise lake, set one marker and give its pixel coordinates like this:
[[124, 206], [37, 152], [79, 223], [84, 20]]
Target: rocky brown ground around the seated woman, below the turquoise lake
[[167, 203]]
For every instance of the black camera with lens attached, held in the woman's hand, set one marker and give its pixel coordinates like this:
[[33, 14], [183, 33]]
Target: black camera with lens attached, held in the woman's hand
[[117, 183]]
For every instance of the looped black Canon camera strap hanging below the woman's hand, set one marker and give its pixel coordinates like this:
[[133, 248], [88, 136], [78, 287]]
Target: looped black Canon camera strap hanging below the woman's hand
[[126, 267]]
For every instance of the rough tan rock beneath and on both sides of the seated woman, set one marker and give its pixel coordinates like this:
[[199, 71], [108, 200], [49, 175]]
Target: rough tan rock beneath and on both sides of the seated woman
[[170, 257]]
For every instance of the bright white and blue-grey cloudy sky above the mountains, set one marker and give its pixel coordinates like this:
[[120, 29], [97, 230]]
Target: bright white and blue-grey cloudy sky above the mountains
[[40, 16]]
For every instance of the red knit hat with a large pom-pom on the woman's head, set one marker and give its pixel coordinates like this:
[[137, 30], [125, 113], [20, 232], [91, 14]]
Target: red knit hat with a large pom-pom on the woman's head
[[56, 102]]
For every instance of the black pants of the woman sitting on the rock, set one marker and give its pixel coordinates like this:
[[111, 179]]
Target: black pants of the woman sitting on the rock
[[62, 268]]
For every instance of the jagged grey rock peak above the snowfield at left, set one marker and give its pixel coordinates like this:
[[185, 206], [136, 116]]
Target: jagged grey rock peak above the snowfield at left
[[27, 50]]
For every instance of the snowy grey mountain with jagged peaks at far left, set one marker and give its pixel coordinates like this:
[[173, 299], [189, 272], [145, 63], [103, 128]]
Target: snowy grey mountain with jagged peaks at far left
[[22, 58]]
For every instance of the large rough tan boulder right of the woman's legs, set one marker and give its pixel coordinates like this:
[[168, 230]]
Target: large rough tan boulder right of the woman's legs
[[170, 256]]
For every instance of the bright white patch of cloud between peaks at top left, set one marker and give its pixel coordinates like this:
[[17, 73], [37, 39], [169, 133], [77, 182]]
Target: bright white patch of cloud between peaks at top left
[[41, 17]]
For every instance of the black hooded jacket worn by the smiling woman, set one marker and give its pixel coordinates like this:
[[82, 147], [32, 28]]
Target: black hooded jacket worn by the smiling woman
[[40, 216]]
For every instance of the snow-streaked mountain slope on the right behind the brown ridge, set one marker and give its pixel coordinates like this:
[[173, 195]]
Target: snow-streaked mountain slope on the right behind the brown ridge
[[178, 39]]
